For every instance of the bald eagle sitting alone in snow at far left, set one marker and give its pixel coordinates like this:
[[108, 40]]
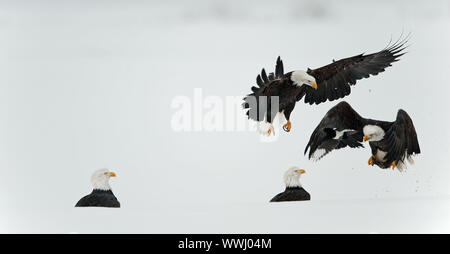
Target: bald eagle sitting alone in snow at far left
[[101, 194]]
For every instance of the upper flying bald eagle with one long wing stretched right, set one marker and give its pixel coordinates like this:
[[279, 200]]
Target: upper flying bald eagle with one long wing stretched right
[[329, 82]]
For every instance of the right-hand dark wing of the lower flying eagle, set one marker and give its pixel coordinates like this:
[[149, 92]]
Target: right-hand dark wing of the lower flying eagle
[[400, 140]]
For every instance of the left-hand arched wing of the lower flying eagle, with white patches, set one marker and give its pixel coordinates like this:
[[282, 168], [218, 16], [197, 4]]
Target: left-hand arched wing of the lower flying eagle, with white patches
[[341, 127]]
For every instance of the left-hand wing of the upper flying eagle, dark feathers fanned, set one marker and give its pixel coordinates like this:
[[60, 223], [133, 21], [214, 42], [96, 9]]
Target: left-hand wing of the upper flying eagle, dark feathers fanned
[[270, 87]]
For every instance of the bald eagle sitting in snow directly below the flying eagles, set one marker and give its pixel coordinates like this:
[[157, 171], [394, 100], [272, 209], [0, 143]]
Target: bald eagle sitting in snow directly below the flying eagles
[[294, 190]]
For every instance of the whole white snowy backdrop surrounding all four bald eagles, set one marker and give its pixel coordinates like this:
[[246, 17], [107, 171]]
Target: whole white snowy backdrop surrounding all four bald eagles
[[90, 85]]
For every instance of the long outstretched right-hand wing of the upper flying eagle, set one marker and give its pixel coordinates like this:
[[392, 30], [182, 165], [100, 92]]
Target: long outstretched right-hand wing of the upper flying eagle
[[334, 80]]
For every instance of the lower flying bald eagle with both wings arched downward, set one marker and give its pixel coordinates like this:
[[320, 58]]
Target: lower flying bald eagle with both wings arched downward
[[342, 126]]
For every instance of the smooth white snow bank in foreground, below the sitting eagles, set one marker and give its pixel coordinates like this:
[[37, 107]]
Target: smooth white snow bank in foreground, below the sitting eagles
[[410, 215]]
